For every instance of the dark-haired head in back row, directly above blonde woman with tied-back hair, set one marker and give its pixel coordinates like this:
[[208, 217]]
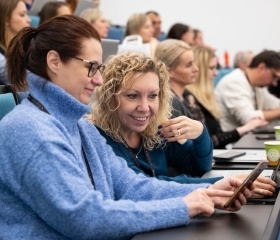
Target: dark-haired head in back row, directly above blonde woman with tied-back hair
[[182, 32]]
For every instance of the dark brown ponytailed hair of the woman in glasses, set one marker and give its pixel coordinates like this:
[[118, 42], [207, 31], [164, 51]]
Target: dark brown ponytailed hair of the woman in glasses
[[29, 48]]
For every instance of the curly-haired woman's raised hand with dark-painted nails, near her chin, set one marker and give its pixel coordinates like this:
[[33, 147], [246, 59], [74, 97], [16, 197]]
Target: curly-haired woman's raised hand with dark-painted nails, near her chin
[[181, 128]]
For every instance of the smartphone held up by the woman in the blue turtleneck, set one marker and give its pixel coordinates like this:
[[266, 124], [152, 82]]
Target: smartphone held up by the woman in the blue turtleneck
[[251, 178]]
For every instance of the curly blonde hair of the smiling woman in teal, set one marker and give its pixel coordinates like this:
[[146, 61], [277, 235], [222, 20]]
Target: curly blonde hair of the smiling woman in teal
[[119, 70]]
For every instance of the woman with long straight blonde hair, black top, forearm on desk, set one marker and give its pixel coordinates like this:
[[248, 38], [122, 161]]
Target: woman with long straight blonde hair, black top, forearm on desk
[[202, 102]]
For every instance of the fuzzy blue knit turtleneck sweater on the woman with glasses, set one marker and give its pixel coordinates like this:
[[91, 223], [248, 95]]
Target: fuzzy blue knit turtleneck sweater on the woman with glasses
[[45, 191]]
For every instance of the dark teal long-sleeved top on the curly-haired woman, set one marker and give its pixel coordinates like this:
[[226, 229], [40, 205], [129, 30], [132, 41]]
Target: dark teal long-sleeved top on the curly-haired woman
[[190, 160]]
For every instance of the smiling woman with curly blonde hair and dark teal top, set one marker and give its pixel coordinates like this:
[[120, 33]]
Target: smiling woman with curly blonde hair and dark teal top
[[128, 112]]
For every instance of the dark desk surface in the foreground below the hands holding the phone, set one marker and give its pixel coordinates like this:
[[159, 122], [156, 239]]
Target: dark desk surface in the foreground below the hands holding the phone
[[249, 223]]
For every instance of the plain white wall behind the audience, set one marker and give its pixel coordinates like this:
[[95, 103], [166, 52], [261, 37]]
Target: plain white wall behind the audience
[[227, 25]]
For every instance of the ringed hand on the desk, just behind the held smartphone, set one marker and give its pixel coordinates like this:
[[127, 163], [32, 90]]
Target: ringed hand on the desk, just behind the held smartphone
[[264, 186]]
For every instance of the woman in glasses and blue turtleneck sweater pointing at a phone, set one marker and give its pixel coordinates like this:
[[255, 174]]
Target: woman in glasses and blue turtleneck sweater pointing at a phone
[[58, 178]]
